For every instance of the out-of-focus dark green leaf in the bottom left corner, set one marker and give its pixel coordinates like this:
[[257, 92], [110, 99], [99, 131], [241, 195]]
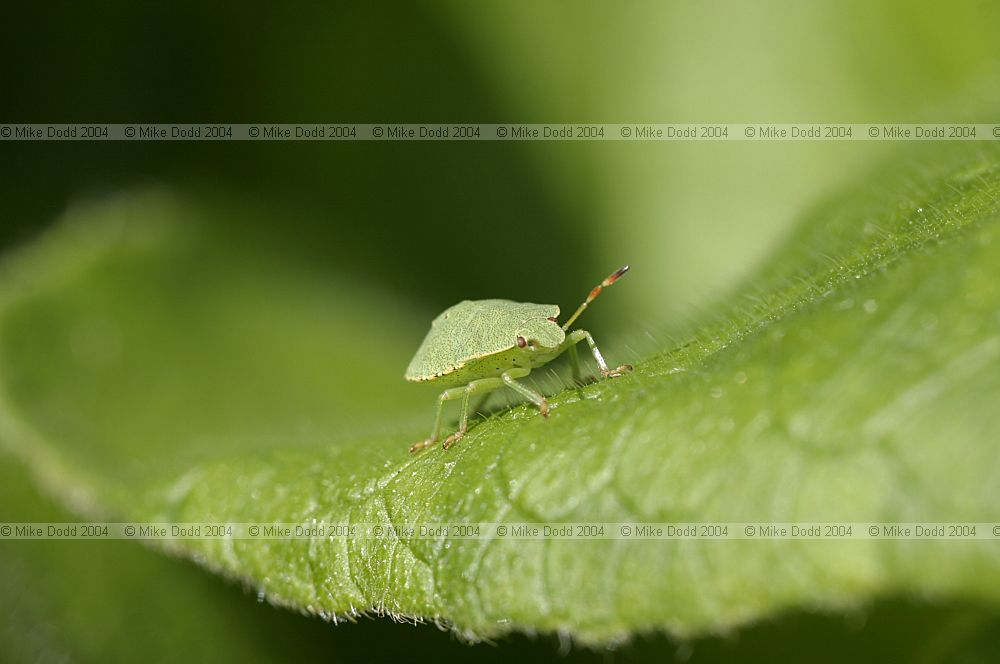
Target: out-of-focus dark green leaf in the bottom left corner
[[106, 600]]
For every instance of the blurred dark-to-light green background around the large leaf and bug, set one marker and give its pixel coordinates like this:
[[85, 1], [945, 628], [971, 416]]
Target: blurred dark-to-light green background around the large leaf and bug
[[433, 223]]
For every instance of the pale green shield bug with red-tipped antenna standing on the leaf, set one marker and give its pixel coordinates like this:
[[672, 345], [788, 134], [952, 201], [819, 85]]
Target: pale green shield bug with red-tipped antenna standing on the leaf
[[482, 345]]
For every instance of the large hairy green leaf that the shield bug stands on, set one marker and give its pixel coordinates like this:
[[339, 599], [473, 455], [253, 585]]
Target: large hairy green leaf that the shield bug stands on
[[157, 369]]
